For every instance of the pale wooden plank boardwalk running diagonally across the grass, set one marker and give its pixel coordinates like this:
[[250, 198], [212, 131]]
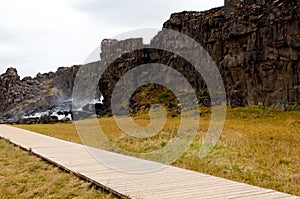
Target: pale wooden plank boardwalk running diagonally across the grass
[[168, 182]]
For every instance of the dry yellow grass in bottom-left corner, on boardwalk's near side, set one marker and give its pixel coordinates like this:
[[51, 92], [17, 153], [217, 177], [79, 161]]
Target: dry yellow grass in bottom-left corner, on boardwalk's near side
[[23, 175]]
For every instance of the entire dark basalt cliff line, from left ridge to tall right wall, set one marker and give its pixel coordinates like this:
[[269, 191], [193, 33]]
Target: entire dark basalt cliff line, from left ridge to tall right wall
[[255, 45]]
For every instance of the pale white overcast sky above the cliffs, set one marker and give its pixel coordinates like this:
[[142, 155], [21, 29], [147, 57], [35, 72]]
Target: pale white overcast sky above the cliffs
[[42, 35]]
